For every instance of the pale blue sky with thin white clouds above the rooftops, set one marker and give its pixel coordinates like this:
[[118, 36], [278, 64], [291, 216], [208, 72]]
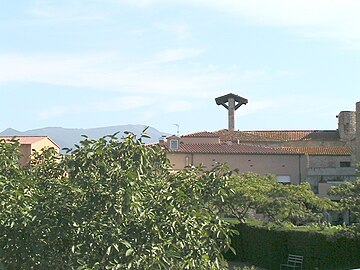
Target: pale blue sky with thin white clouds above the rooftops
[[93, 63]]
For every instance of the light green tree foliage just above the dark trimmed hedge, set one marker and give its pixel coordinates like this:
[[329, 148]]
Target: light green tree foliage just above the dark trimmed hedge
[[293, 204]]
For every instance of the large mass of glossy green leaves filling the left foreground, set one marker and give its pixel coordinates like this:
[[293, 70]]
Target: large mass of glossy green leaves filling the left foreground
[[108, 205]]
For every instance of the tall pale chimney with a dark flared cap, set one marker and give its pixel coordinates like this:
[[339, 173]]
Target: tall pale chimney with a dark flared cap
[[233, 103]]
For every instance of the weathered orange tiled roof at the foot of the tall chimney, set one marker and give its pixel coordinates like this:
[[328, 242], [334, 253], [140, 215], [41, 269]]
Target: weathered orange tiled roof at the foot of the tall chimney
[[279, 135]]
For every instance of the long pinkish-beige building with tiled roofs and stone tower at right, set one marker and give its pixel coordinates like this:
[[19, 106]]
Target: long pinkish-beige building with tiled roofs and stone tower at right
[[321, 157]]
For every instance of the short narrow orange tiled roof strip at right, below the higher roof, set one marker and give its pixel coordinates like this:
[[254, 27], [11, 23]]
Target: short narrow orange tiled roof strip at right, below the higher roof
[[322, 151]]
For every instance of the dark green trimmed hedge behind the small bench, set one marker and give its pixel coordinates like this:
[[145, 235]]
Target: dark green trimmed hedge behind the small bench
[[269, 248]]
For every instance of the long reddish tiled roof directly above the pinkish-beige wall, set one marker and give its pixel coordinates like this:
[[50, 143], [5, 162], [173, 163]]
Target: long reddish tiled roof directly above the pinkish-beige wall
[[229, 149]]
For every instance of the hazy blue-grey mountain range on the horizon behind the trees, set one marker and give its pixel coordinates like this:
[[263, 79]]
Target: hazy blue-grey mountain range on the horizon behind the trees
[[67, 137]]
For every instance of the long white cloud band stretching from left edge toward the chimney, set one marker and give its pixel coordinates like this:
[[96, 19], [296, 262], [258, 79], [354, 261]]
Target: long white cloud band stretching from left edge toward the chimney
[[111, 72]]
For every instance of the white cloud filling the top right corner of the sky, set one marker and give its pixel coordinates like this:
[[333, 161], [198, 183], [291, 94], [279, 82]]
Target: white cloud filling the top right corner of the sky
[[334, 19]]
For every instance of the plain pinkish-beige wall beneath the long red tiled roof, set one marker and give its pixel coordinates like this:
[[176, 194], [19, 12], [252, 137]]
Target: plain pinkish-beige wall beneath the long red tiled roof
[[290, 165]]
